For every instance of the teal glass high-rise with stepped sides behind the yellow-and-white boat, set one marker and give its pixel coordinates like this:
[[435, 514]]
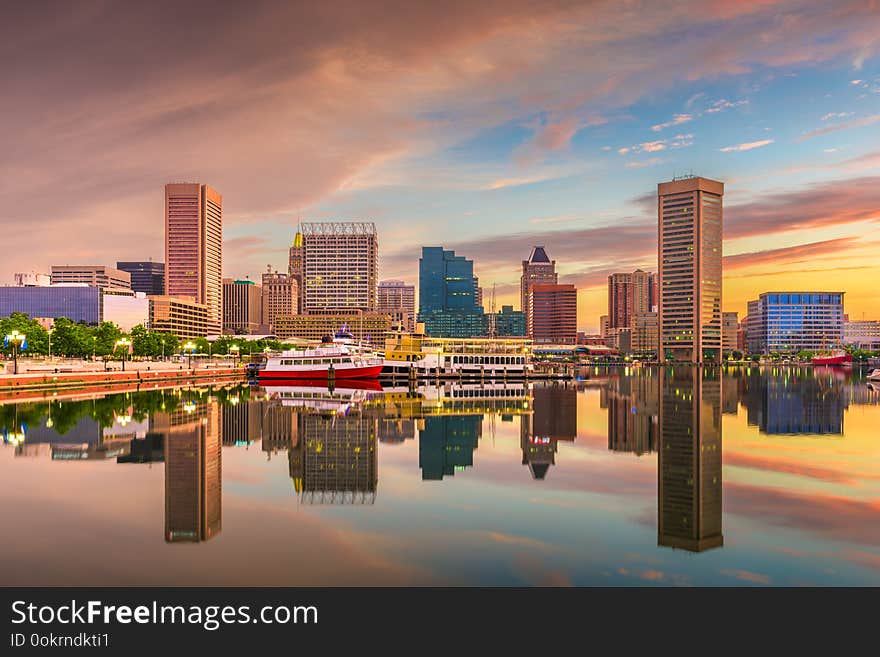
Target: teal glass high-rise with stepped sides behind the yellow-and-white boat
[[447, 303]]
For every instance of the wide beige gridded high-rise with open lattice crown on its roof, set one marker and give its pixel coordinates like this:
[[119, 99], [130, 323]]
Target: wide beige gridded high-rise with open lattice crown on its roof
[[341, 266]]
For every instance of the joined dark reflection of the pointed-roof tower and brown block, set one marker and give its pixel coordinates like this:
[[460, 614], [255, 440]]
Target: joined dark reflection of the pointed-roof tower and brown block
[[553, 418]]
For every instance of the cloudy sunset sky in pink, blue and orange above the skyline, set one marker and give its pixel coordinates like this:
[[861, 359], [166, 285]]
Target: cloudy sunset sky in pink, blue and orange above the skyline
[[483, 127]]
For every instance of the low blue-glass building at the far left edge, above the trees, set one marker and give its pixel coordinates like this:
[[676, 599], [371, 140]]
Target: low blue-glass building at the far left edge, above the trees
[[76, 302]]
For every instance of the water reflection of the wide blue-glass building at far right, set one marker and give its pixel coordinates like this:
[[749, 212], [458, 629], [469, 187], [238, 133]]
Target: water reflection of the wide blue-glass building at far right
[[795, 401]]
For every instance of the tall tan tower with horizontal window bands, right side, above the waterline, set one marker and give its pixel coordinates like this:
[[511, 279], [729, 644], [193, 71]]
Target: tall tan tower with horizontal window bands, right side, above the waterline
[[689, 216]]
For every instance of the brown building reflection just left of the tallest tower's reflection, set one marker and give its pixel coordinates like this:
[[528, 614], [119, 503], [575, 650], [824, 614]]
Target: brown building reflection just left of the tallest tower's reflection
[[633, 410]]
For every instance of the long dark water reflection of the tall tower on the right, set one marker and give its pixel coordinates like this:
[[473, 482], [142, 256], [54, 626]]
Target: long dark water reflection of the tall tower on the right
[[689, 461]]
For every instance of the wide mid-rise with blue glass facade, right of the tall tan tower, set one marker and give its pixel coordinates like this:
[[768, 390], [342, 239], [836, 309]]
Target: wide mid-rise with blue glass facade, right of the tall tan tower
[[788, 322]]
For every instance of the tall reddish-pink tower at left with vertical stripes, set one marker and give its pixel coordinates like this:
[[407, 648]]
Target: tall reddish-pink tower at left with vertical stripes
[[194, 247]]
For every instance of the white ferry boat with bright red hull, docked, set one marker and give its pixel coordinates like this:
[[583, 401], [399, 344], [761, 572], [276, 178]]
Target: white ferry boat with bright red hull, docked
[[334, 360]]
